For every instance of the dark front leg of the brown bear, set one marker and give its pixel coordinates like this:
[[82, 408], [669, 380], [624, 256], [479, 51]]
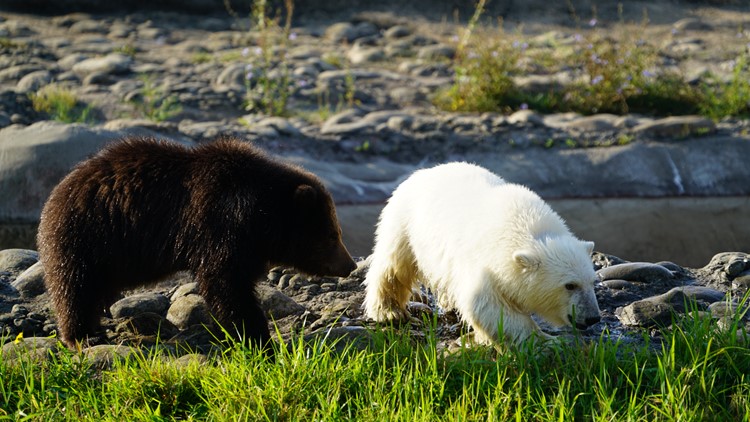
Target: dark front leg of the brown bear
[[234, 304]]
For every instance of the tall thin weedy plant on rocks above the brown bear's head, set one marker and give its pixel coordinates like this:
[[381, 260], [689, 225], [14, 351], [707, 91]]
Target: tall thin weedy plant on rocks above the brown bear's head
[[268, 81]]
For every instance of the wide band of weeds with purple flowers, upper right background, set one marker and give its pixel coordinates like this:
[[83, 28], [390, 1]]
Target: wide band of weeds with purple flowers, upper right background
[[622, 76]]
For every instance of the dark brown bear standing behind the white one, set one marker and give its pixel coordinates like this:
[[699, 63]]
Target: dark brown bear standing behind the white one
[[142, 209]]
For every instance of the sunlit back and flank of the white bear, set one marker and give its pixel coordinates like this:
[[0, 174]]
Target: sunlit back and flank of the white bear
[[460, 217]]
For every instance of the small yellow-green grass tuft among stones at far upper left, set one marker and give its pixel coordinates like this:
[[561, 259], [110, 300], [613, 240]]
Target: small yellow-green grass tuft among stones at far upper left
[[60, 104]]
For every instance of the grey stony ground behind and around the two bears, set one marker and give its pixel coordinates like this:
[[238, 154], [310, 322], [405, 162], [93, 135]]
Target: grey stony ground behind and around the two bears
[[361, 98]]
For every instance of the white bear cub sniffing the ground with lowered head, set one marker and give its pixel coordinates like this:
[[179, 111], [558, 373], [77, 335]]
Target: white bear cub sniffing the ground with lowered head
[[494, 251]]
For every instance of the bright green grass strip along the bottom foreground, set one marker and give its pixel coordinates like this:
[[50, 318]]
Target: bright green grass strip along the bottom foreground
[[697, 373]]
